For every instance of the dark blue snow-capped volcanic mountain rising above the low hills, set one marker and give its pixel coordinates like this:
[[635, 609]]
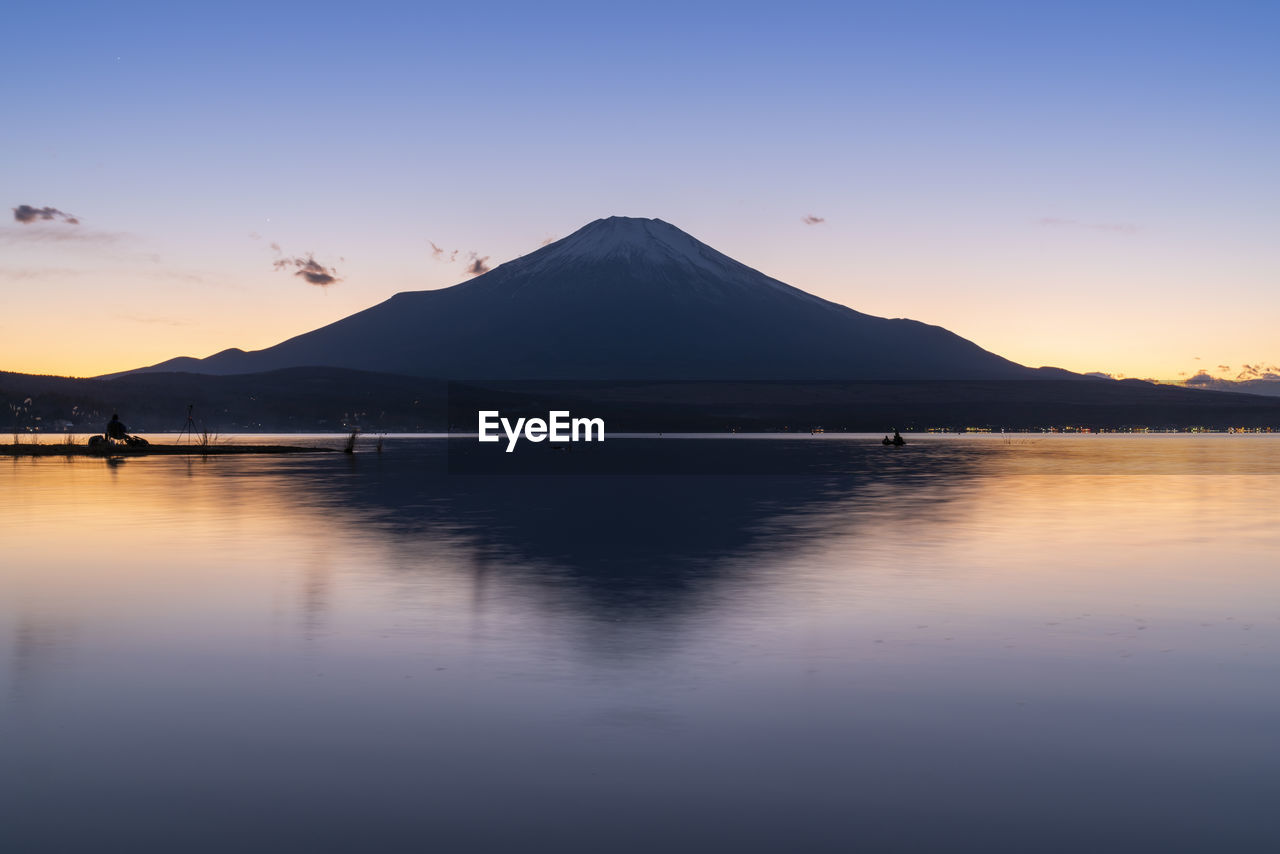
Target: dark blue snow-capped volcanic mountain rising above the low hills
[[624, 299]]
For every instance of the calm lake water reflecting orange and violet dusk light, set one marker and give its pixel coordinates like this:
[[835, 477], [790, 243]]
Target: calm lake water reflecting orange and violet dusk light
[[972, 645]]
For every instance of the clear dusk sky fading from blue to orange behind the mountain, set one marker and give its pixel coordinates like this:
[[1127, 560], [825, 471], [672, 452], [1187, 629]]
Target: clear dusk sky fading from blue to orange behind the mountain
[[1092, 186]]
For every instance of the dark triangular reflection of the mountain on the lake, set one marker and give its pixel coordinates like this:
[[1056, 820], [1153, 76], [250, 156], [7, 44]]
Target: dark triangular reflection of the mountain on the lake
[[618, 550]]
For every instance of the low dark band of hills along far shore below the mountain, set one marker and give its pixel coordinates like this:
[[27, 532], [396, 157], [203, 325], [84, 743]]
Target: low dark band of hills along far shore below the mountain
[[332, 400]]
